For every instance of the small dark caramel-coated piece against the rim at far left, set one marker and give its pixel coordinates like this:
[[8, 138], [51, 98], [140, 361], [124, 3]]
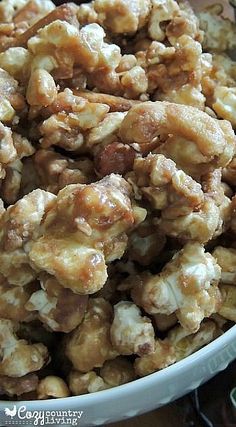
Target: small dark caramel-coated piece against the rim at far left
[[18, 386]]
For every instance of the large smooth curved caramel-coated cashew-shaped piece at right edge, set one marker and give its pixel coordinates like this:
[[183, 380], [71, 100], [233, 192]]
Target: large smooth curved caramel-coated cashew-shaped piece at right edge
[[197, 142]]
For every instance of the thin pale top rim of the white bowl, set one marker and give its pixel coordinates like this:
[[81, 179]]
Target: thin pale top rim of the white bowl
[[136, 385]]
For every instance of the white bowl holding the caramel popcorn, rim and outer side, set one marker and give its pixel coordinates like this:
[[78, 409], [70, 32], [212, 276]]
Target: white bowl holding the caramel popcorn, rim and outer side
[[144, 394]]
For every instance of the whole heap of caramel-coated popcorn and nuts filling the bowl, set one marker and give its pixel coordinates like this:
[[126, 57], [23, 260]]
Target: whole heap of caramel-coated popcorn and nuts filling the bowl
[[117, 186]]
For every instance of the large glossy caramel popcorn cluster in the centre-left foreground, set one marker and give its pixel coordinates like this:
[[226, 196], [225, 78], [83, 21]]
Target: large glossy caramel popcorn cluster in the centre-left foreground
[[89, 223]]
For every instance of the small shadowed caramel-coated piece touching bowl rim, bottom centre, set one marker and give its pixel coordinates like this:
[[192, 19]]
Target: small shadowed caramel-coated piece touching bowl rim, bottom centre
[[117, 371]]
